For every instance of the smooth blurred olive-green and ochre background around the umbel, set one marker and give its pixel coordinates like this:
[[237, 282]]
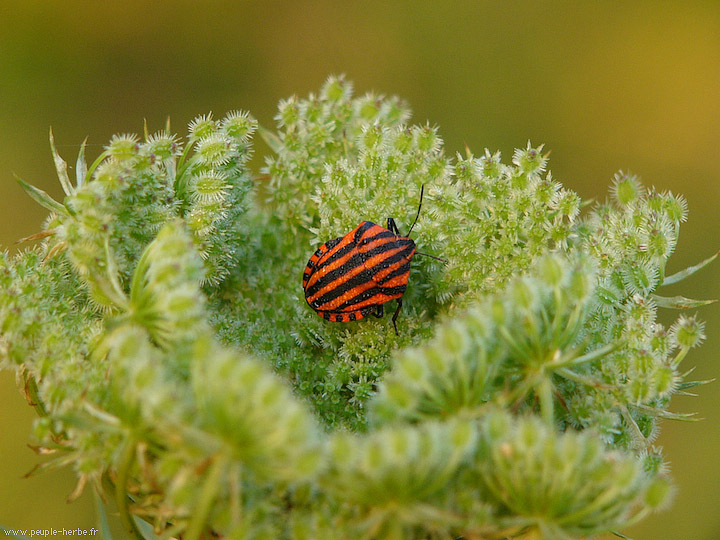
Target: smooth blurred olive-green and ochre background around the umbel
[[605, 85]]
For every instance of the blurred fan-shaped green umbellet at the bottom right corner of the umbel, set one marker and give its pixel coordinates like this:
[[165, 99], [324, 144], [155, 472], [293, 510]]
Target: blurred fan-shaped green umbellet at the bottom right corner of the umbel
[[568, 486]]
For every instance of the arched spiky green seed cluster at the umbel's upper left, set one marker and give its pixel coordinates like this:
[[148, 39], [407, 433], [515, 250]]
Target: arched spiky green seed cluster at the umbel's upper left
[[135, 187]]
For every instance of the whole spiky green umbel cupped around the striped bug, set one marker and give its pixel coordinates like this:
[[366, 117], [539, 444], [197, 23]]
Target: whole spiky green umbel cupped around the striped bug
[[160, 331]]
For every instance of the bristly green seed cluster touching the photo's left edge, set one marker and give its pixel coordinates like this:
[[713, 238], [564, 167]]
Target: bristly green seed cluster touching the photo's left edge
[[48, 340]]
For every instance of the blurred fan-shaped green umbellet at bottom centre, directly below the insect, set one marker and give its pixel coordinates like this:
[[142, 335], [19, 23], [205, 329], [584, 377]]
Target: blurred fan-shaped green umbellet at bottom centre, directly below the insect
[[396, 479]]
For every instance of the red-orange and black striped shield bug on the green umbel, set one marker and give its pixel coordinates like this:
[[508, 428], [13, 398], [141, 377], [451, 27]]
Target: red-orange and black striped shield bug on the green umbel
[[354, 275]]
